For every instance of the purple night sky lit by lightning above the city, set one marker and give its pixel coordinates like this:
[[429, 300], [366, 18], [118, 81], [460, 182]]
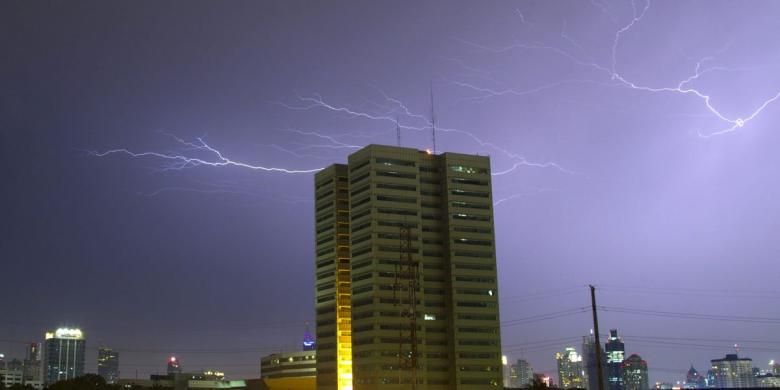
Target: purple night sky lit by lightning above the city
[[634, 147]]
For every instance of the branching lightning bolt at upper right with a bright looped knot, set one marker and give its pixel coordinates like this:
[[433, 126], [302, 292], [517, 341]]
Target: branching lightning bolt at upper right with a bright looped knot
[[683, 87]]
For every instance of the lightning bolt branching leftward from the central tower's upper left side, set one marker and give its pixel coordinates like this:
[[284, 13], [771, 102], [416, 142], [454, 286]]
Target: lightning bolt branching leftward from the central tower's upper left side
[[183, 160]]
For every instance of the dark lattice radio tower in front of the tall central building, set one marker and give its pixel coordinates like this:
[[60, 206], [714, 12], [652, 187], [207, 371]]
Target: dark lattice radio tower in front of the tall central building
[[407, 278]]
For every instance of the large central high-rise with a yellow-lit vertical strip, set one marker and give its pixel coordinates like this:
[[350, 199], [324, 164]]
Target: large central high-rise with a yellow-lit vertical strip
[[405, 261]]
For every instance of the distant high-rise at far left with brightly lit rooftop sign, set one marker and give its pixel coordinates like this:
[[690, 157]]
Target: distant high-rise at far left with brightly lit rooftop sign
[[63, 355]]
